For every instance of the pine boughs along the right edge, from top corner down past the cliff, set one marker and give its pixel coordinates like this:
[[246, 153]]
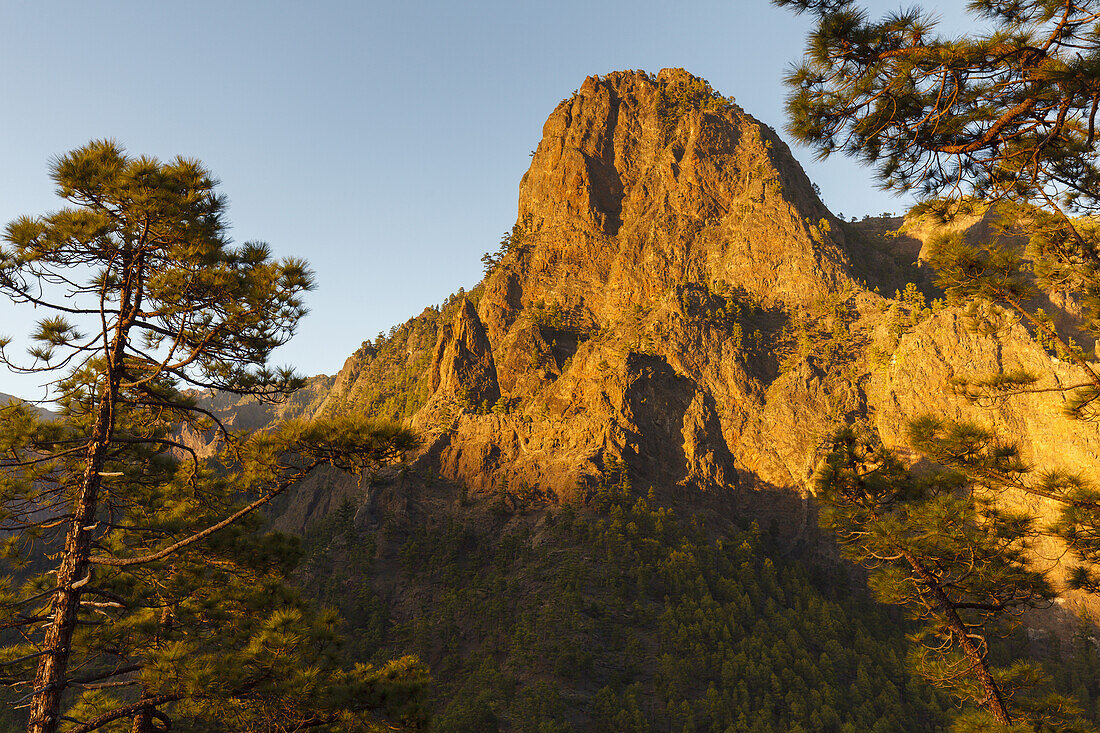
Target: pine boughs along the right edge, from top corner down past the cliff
[[1004, 117]]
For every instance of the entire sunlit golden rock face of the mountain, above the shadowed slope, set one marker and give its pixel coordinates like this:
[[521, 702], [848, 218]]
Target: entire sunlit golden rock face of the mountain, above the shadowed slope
[[677, 297]]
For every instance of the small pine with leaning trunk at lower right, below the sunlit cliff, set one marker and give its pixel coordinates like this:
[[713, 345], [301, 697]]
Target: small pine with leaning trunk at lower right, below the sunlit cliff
[[959, 563]]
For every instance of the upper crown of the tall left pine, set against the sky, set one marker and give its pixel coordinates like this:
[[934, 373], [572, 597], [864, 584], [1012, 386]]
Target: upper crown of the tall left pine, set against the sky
[[219, 309]]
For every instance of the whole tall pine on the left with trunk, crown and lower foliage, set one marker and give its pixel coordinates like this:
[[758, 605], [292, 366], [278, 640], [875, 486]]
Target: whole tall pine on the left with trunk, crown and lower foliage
[[135, 585]]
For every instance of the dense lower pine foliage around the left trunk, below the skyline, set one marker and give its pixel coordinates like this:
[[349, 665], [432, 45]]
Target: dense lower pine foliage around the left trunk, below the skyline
[[204, 621]]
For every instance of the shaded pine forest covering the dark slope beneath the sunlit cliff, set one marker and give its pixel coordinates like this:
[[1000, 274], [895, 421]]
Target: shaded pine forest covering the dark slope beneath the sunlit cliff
[[619, 617]]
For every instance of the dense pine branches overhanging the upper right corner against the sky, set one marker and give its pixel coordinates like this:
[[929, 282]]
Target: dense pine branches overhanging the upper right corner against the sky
[[936, 113]]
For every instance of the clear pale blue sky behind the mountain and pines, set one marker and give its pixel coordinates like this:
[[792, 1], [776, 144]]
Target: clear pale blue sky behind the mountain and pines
[[382, 141]]
